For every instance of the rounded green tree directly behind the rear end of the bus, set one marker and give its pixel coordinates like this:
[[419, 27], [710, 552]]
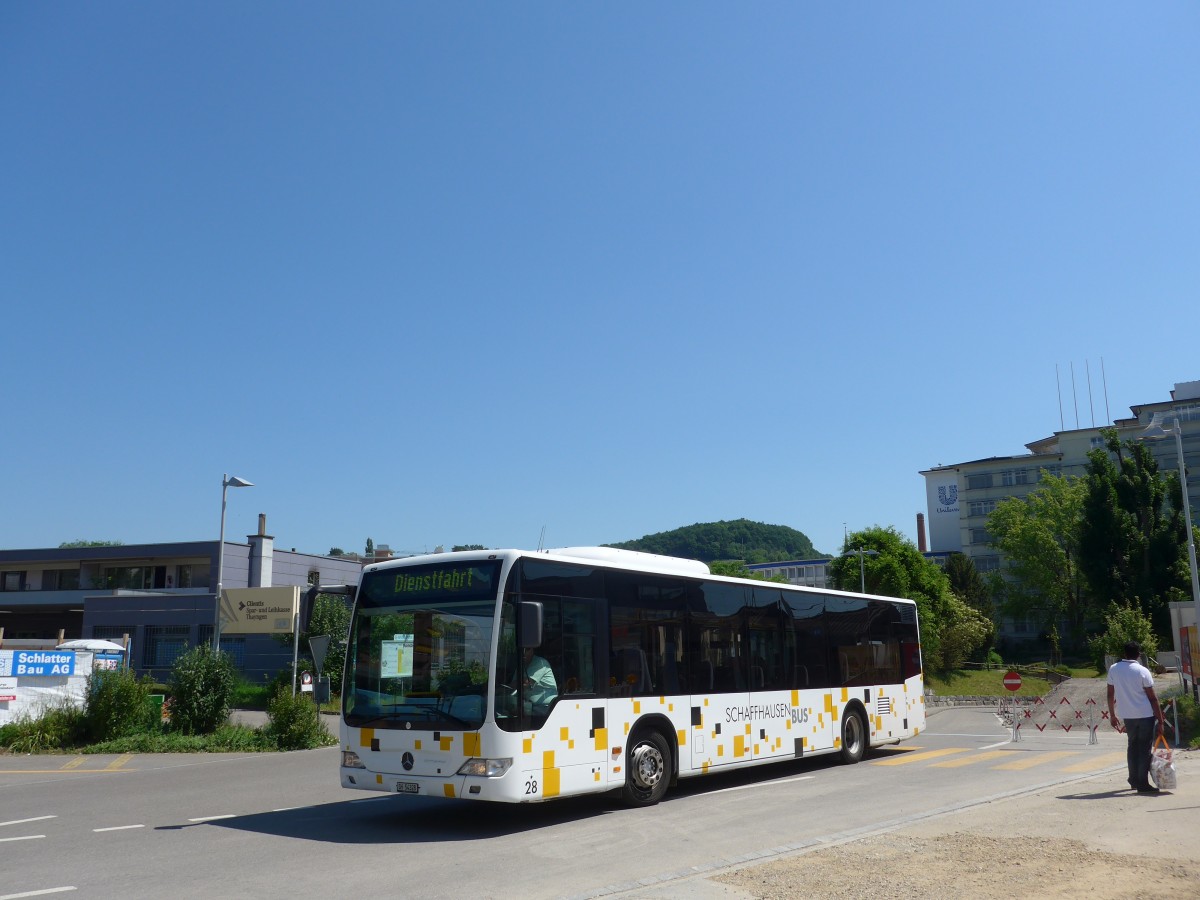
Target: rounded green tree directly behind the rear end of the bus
[[951, 631]]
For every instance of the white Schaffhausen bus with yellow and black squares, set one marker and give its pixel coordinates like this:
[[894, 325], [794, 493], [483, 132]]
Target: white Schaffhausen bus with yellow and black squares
[[520, 676]]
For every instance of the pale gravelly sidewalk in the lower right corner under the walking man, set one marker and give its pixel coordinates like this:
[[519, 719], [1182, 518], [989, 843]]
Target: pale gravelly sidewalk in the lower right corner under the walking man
[[1091, 838]]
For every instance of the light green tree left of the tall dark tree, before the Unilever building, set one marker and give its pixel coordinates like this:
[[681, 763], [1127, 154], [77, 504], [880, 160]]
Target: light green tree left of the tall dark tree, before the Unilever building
[[1040, 535]]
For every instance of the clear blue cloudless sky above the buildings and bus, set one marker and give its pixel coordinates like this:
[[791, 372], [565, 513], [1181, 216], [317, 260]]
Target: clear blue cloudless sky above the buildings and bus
[[454, 273]]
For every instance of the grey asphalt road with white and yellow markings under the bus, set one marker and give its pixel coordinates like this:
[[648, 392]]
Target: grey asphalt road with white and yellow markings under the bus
[[280, 826]]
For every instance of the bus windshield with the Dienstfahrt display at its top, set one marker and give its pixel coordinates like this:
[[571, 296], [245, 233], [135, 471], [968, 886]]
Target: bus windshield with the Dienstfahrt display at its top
[[419, 645]]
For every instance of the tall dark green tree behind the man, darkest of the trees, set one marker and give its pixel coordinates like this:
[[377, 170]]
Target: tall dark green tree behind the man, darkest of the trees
[[1132, 541]]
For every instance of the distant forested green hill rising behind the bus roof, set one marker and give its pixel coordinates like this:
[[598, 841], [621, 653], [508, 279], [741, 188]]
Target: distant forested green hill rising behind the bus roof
[[740, 539]]
